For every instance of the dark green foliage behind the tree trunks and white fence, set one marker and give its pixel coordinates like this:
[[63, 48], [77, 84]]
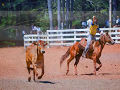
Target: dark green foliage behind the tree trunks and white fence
[[28, 12]]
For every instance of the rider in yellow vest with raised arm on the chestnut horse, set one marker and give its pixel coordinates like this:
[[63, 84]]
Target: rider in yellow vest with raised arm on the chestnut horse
[[92, 32]]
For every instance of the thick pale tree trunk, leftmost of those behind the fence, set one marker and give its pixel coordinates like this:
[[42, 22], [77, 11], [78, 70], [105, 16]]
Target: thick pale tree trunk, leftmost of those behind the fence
[[50, 14]]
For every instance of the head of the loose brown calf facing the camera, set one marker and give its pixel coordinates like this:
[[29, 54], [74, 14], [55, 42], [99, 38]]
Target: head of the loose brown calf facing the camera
[[40, 46]]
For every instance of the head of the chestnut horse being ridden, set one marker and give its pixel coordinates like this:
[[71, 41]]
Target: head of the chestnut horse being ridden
[[106, 38]]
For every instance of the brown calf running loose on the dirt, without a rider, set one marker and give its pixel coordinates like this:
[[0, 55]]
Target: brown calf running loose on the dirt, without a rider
[[35, 58]]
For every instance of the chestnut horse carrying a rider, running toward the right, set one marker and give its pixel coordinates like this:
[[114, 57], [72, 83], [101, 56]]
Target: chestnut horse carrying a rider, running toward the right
[[94, 52]]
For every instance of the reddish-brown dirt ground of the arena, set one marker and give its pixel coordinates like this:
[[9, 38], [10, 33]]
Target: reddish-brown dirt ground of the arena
[[13, 72]]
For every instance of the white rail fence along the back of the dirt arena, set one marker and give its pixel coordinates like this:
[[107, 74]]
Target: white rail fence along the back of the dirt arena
[[68, 37]]
